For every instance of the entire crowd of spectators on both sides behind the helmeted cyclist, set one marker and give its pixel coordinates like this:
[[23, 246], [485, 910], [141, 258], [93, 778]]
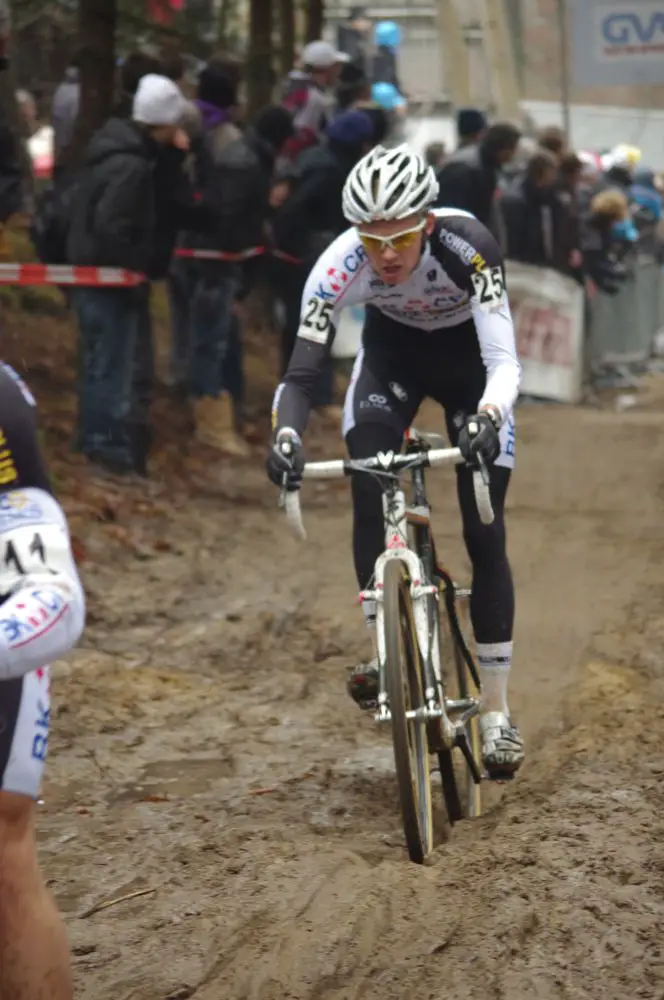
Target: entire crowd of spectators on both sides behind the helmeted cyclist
[[178, 186]]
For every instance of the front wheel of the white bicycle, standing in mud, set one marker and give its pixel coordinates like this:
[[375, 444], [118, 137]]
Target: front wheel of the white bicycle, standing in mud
[[403, 680]]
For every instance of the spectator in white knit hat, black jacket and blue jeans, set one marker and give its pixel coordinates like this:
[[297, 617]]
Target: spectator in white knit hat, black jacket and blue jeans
[[131, 199]]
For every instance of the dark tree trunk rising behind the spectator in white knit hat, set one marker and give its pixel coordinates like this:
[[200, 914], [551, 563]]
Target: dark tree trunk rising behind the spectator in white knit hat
[[97, 21]]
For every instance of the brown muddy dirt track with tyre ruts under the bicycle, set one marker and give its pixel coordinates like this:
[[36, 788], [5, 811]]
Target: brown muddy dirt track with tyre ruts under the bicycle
[[204, 748]]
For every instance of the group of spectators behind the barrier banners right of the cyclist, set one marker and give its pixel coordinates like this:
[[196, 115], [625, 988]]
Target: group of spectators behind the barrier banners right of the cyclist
[[579, 213]]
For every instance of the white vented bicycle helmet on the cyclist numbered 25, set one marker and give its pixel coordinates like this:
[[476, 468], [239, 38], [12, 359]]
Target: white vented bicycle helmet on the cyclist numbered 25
[[388, 184]]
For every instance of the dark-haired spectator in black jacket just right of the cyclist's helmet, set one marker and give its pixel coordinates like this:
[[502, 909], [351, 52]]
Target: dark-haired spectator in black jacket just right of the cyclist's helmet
[[469, 178]]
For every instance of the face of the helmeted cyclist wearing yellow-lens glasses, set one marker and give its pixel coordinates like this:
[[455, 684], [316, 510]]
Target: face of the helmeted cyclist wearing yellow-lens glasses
[[394, 248]]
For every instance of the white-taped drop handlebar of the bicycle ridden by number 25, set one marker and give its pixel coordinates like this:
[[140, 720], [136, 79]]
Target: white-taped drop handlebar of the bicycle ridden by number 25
[[387, 463]]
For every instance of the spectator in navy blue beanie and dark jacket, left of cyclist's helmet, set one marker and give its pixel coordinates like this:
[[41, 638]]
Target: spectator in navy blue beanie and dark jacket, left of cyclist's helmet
[[311, 219]]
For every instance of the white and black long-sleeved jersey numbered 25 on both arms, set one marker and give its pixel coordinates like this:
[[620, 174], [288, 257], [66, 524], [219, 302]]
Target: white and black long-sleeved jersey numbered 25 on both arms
[[459, 282]]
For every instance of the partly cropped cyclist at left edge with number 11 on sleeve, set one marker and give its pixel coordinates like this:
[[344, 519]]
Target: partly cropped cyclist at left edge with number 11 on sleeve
[[42, 611]]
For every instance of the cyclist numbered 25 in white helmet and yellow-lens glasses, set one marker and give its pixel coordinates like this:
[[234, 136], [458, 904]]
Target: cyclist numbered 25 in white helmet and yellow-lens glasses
[[438, 325]]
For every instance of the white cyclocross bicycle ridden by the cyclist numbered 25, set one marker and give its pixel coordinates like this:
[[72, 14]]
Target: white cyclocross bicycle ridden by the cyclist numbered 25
[[429, 687]]
